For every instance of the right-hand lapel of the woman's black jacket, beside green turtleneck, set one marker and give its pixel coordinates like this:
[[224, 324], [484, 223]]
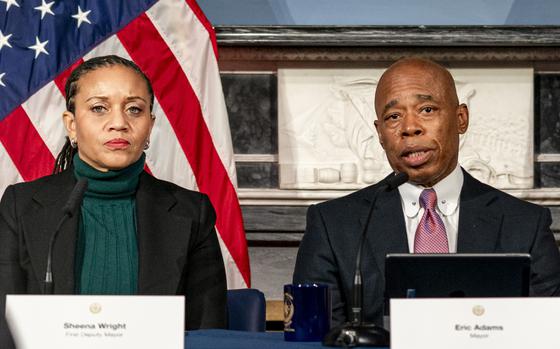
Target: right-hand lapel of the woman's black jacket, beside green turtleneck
[[162, 238]]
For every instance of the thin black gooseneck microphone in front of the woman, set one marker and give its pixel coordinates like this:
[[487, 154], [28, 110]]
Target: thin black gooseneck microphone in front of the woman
[[69, 209]]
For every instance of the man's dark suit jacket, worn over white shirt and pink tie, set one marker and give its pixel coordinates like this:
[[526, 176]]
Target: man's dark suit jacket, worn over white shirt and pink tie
[[489, 221]]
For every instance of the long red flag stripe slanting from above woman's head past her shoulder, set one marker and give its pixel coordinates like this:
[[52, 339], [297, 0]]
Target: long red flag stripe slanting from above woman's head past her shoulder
[[182, 108]]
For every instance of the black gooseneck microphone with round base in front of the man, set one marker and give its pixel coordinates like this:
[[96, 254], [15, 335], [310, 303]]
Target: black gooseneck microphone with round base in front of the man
[[356, 332]]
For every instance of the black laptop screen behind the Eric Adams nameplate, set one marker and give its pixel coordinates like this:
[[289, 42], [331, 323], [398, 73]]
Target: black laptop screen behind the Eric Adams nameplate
[[457, 275]]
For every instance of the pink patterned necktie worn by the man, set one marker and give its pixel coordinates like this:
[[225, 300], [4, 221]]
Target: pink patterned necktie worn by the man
[[430, 235]]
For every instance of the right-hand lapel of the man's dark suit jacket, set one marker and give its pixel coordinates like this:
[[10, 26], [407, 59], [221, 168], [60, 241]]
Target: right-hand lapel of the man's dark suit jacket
[[480, 218]]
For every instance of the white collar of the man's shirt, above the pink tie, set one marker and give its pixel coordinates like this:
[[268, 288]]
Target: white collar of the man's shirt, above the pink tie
[[447, 190]]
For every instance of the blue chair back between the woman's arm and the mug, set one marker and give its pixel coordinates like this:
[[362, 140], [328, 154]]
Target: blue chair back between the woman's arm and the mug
[[246, 310]]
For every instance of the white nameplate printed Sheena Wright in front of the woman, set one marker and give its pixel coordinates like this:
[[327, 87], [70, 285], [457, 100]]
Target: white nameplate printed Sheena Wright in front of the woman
[[99, 322]]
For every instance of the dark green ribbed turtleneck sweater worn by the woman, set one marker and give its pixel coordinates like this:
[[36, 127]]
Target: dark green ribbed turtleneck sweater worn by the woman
[[106, 251]]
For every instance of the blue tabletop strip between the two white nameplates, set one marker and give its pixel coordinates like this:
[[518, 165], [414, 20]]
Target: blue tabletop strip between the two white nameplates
[[218, 339]]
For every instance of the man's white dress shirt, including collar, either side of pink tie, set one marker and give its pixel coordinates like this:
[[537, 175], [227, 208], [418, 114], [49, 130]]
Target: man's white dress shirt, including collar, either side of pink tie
[[448, 191]]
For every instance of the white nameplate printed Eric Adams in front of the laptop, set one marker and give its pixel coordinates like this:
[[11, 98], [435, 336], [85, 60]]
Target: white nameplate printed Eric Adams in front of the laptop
[[513, 323]]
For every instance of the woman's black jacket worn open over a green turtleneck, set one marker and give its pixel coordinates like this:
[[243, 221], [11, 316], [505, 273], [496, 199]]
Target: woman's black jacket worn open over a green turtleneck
[[178, 249]]
